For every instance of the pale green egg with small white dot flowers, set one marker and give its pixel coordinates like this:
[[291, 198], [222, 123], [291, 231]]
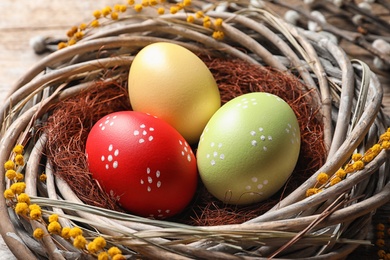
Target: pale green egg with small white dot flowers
[[249, 148]]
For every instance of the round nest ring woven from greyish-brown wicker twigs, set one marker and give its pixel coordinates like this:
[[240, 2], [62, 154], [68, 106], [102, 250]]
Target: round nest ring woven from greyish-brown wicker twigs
[[327, 225]]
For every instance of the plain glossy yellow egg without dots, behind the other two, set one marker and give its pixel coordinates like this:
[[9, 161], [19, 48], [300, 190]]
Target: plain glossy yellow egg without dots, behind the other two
[[172, 83]]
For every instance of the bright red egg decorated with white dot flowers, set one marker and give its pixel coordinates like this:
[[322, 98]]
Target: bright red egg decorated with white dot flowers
[[143, 162]]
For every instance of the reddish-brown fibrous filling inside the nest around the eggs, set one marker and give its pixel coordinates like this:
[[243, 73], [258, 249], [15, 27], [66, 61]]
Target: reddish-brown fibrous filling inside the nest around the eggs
[[68, 127]]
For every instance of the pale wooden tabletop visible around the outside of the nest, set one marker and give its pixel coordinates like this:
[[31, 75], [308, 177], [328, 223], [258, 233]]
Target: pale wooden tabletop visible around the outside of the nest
[[22, 20]]
